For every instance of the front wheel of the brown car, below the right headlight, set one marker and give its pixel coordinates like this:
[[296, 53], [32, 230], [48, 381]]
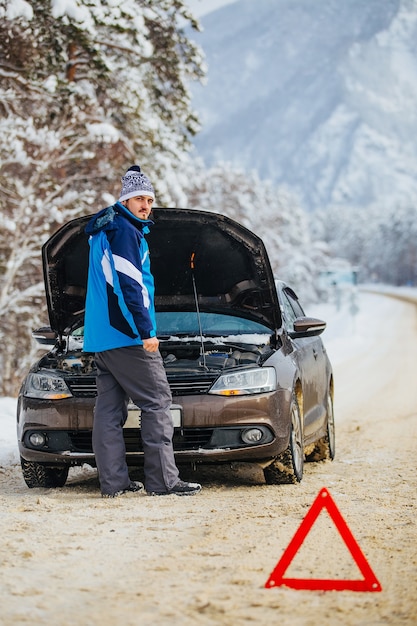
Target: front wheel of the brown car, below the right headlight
[[288, 467]]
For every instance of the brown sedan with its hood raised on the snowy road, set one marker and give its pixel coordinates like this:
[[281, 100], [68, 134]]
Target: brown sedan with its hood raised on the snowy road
[[250, 377]]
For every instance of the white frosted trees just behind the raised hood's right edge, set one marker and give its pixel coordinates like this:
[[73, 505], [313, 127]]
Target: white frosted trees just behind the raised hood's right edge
[[271, 212]]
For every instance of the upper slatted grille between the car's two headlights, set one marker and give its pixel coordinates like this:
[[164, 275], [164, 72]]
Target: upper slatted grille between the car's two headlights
[[84, 387]]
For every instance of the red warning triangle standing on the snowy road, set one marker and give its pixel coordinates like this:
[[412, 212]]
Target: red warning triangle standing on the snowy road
[[324, 501]]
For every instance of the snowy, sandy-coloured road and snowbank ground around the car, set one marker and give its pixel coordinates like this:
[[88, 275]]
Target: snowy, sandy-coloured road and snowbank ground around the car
[[68, 556]]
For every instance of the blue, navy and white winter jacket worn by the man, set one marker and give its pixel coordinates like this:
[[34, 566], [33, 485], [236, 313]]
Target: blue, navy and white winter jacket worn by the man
[[119, 308]]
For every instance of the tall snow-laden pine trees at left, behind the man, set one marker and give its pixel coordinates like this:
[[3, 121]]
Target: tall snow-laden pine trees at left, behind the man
[[86, 89]]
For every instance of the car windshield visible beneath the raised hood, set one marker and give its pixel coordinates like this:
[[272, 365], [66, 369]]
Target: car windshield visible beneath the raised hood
[[214, 324]]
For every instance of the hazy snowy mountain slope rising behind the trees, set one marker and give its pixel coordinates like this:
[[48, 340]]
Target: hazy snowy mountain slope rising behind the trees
[[317, 95]]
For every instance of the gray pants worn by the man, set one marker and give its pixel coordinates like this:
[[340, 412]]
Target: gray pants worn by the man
[[124, 373]]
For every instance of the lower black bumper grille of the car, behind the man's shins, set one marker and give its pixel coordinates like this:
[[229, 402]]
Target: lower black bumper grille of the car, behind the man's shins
[[184, 439]]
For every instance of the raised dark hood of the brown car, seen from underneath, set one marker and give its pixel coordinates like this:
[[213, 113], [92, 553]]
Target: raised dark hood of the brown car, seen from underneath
[[227, 263]]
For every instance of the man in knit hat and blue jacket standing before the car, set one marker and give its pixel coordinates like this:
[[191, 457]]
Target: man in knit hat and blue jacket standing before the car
[[120, 328]]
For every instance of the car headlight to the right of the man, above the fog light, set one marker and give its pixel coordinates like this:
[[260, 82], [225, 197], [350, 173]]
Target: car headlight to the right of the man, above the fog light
[[244, 382]]
